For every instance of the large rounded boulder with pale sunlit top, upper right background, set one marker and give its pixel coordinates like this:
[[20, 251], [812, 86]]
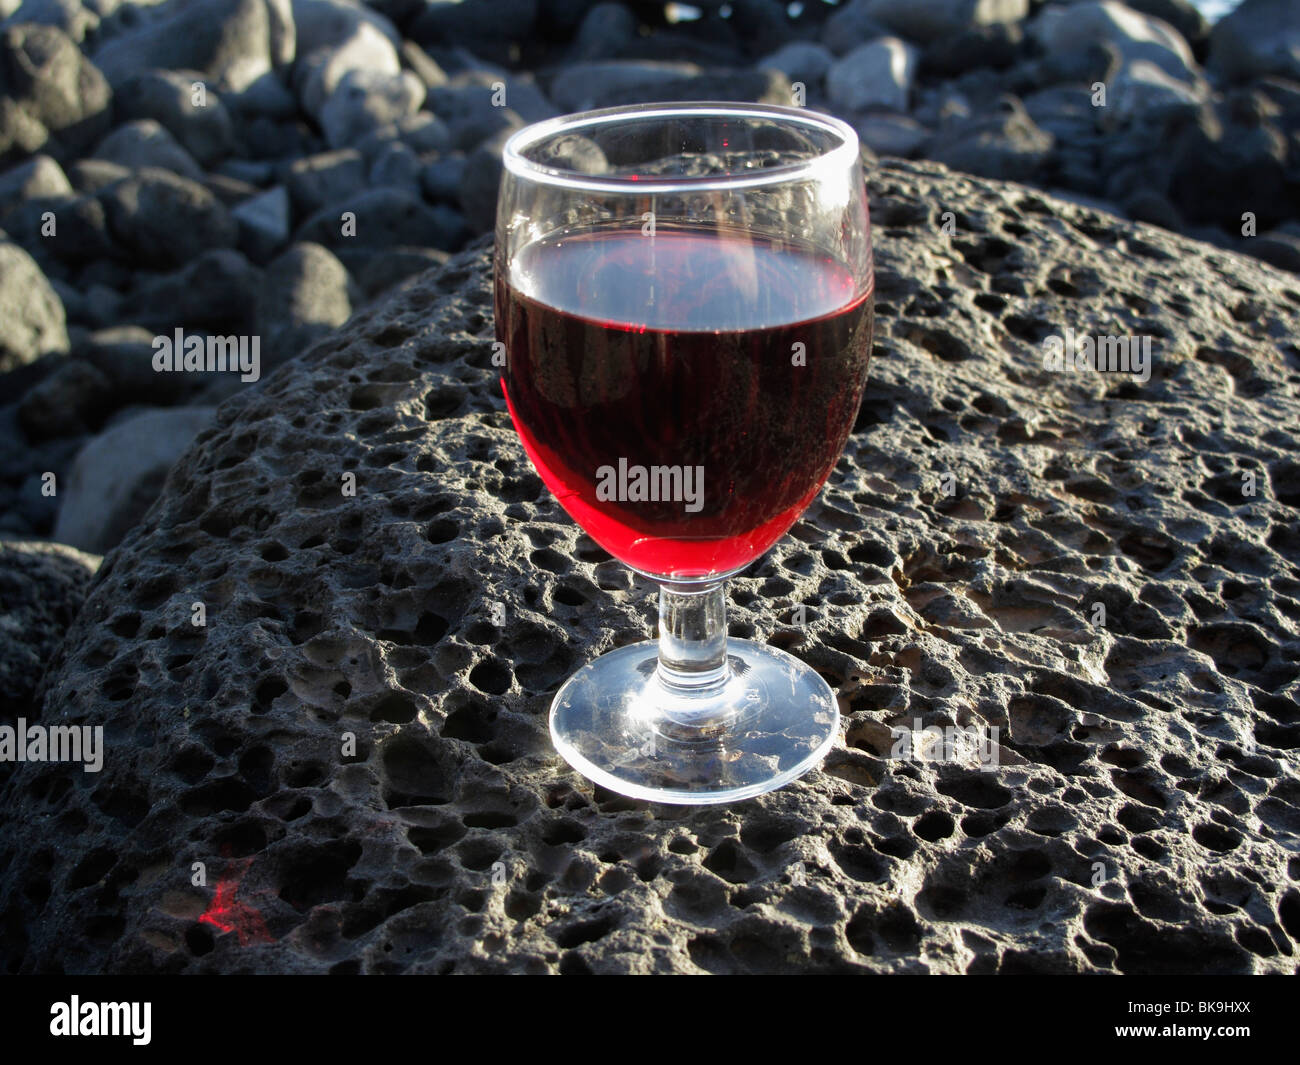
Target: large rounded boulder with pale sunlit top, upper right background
[[1064, 31]]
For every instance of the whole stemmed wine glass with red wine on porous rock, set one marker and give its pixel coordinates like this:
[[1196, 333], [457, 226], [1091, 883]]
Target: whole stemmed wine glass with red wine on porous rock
[[684, 293]]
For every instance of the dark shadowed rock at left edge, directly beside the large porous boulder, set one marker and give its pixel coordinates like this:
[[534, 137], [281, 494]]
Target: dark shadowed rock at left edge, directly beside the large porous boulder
[[42, 587]]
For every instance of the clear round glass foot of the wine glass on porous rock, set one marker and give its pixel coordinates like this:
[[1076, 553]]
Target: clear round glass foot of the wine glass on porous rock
[[768, 722]]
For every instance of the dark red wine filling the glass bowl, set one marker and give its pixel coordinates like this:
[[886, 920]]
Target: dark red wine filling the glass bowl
[[683, 393]]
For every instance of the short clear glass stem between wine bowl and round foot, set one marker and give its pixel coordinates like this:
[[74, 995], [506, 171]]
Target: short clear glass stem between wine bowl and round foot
[[692, 638]]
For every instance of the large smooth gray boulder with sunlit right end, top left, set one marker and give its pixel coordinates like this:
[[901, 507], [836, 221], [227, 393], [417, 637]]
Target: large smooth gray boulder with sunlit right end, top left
[[228, 41]]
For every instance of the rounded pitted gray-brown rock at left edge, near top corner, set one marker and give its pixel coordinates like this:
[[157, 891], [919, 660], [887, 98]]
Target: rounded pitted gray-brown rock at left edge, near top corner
[[51, 98]]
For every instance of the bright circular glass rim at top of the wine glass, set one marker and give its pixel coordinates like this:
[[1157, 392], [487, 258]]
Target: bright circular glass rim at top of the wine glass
[[844, 154]]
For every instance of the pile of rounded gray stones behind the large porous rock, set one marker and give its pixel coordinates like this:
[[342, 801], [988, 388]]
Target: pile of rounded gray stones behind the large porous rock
[[200, 159]]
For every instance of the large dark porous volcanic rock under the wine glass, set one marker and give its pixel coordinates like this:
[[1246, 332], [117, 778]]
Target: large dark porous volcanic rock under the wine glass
[[1146, 812]]
